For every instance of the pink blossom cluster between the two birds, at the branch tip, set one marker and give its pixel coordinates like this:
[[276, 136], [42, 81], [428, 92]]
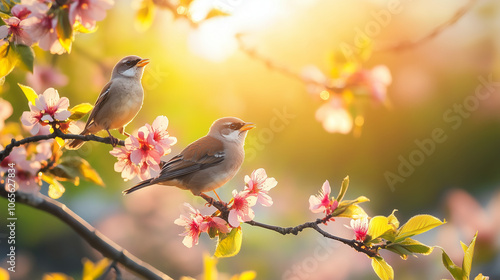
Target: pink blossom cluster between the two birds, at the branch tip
[[142, 152]]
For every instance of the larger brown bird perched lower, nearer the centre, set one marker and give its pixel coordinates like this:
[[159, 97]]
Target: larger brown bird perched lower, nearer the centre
[[207, 163]]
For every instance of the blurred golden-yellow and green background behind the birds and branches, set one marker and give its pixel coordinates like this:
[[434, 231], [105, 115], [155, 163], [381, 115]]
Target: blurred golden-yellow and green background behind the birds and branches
[[199, 74]]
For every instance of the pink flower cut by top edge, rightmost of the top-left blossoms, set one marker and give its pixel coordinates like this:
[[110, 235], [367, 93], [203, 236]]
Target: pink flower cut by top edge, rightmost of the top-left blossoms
[[87, 12]]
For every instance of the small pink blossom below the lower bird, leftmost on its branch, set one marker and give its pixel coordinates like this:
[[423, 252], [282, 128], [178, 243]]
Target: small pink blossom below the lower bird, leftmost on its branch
[[192, 224]]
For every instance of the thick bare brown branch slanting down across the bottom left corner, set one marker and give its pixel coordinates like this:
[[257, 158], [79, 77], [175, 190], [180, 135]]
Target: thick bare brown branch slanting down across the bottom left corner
[[96, 239]]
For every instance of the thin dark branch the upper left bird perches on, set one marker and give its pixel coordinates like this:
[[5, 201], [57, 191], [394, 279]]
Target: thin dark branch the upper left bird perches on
[[53, 135]]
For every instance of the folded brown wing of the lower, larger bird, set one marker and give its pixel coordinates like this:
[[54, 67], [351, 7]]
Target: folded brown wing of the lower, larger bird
[[201, 154]]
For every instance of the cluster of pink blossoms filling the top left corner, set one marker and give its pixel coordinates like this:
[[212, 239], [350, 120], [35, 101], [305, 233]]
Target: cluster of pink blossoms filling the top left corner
[[49, 23]]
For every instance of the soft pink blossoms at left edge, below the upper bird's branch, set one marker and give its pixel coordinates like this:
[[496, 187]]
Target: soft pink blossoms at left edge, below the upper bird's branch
[[25, 170]]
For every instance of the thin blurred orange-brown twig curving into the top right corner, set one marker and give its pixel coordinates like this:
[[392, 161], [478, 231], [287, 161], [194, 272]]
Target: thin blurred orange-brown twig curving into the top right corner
[[431, 35]]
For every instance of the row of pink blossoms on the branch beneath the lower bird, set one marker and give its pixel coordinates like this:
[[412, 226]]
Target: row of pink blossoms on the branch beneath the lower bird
[[257, 187]]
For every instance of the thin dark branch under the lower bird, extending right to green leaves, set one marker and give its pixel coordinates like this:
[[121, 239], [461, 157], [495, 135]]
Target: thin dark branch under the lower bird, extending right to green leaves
[[358, 246]]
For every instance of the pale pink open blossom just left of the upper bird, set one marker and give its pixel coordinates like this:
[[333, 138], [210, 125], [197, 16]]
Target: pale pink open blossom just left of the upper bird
[[48, 108]]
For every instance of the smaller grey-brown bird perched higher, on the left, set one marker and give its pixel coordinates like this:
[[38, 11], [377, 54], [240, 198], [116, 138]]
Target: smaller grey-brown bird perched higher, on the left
[[119, 102]]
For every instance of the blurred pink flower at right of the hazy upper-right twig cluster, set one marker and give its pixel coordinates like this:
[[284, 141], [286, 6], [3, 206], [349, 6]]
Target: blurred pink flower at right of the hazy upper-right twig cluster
[[376, 80]]
